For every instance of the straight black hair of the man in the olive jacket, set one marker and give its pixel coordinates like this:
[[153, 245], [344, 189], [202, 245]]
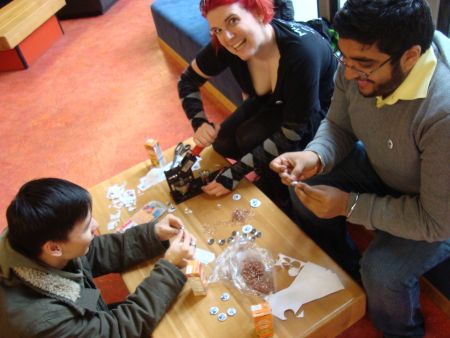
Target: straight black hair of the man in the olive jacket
[[45, 209]]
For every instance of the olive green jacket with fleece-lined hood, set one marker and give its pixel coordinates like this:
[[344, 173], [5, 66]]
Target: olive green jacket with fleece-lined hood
[[38, 301]]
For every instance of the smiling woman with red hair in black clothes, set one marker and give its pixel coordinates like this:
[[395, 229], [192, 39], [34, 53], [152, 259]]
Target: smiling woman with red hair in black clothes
[[285, 70]]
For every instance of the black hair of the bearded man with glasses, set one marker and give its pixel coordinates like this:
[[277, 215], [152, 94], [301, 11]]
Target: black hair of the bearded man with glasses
[[394, 25]]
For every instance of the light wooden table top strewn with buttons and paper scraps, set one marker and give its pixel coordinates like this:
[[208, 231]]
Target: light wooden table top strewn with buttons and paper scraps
[[189, 316]]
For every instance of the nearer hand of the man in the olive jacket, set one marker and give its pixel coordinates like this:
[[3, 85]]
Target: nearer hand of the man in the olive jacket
[[181, 249]]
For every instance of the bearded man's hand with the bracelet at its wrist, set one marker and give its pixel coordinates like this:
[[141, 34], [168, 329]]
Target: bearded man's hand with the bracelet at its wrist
[[322, 200]]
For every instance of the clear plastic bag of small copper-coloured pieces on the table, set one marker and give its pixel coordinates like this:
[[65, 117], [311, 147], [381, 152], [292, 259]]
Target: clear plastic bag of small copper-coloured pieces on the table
[[248, 267]]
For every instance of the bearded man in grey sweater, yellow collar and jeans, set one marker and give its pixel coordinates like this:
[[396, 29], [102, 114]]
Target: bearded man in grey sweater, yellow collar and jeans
[[381, 157]]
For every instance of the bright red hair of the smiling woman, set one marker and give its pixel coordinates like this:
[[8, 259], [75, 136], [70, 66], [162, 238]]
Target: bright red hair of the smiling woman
[[261, 7]]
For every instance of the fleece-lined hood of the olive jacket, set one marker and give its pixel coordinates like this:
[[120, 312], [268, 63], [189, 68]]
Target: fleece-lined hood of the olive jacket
[[49, 280]]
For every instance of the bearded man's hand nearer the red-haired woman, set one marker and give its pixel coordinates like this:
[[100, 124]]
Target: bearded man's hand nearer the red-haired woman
[[296, 166]]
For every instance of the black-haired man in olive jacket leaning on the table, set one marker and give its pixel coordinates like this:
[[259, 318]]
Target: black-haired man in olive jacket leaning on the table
[[49, 256]]
